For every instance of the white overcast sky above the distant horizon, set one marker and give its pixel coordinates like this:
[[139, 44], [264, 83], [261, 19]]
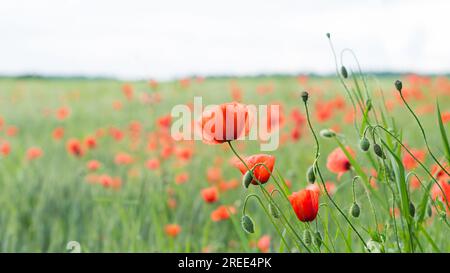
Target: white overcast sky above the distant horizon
[[164, 39]]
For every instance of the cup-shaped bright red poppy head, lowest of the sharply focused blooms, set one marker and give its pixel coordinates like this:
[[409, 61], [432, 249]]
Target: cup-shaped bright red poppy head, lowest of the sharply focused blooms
[[305, 204]]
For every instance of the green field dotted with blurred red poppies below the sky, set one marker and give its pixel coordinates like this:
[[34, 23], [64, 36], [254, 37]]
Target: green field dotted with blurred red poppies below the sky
[[54, 199]]
